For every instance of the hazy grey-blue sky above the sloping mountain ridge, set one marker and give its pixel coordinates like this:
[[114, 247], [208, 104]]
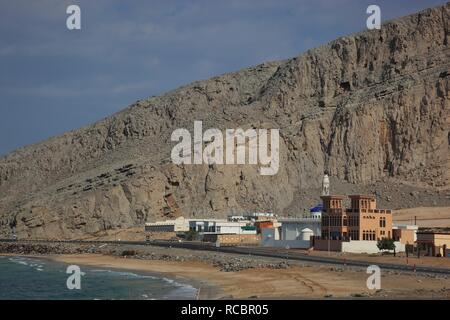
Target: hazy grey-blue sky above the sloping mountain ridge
[[54, 80]]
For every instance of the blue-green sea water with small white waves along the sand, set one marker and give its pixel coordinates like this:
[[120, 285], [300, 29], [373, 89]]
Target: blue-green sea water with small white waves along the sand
[[33, 278]]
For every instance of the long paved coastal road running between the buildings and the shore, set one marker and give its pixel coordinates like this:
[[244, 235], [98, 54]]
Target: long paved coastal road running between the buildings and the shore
[[279, 253]]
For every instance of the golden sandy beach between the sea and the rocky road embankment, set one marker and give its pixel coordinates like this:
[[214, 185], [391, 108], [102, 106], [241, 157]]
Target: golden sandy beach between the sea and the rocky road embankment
[[296, 282]]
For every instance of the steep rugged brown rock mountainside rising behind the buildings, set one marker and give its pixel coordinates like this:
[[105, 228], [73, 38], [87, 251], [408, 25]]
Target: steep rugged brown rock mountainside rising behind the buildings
[[371, 108]]
